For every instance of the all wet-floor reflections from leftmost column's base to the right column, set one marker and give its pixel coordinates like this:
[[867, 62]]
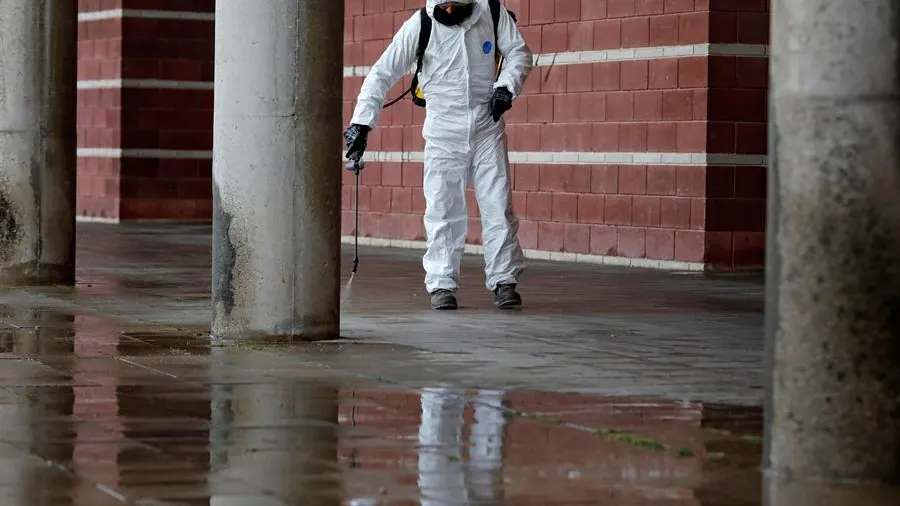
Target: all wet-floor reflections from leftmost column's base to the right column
[[100, 416]]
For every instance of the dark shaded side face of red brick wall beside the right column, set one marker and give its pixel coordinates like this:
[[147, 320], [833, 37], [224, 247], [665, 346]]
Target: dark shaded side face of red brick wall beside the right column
[[736, 195]]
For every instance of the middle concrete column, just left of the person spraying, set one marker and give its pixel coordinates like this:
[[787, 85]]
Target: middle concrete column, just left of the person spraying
[[277, 169]]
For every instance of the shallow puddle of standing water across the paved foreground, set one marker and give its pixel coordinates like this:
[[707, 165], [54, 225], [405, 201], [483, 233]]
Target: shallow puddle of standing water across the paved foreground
[[301, 441]]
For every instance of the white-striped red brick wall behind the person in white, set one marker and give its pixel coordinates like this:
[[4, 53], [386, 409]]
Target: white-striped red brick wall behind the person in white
[[645, 208]]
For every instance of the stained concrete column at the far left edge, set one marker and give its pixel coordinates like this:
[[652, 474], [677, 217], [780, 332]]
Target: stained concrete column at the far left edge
[[38, 52]]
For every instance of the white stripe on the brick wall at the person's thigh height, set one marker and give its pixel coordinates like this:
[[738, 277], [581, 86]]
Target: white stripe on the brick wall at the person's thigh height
[[591, 158]]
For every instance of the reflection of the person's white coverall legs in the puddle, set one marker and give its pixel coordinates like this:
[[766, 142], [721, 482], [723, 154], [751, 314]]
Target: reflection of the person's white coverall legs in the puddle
[[445, 477]]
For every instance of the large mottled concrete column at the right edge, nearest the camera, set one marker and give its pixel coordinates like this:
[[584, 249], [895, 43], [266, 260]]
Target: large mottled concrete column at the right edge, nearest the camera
[[833, 434]]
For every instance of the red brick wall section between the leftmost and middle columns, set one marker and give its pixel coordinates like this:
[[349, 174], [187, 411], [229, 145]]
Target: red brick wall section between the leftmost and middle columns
[[155, 116]]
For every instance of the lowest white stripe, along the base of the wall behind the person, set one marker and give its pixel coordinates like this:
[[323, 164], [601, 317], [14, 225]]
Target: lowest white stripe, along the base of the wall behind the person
[[554, 256]]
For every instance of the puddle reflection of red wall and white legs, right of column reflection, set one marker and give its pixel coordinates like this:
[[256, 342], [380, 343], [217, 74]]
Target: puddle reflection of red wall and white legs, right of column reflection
[[528, 447]]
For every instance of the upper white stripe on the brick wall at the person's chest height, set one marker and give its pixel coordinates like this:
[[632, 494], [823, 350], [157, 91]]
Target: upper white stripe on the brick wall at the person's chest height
[[628, 54]]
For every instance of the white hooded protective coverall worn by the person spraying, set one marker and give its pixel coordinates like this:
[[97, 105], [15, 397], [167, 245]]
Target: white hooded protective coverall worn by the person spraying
[[462, 141]]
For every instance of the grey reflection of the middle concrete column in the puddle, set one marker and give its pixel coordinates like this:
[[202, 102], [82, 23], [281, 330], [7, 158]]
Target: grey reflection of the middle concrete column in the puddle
[[277, 437]]
